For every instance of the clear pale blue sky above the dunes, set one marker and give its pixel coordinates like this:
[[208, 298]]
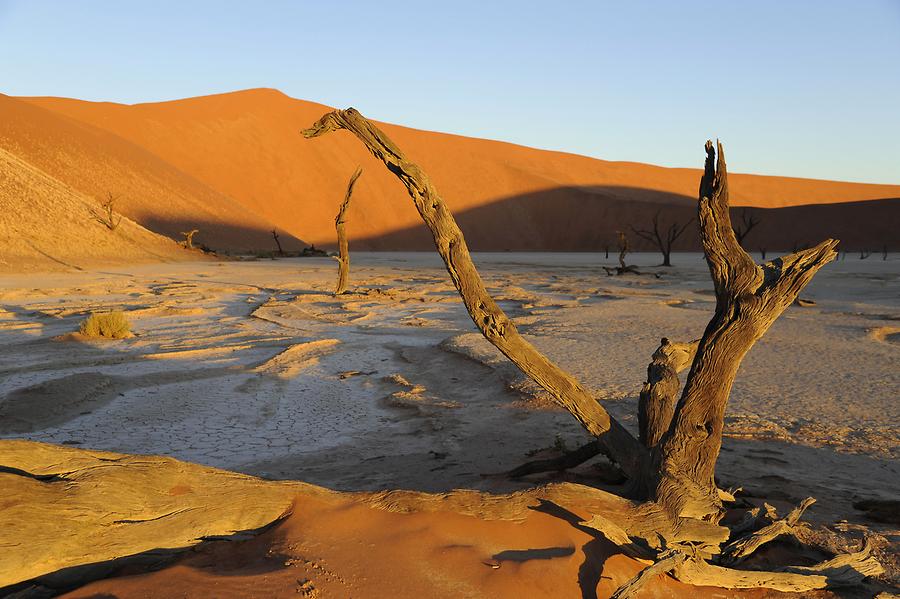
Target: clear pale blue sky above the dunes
[[807, 88]]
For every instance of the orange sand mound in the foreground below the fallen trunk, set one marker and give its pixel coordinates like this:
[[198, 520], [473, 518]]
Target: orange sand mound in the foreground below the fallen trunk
[[332, 546]]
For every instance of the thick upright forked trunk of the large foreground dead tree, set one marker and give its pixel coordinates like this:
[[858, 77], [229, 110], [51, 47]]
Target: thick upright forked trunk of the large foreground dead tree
[[748, 300]]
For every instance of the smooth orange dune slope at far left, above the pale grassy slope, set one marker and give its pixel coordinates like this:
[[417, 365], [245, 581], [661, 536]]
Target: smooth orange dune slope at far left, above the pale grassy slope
[[93, 162]]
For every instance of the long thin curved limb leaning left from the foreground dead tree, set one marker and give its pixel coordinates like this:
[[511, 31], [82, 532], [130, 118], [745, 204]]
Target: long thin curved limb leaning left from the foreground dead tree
[[487, 316]]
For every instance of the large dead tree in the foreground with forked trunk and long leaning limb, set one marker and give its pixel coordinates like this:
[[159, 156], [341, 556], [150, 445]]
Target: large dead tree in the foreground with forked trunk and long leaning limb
[[679, 519]]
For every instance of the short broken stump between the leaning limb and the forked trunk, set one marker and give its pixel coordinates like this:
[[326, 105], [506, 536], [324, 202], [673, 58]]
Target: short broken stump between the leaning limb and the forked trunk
[[656, 404]]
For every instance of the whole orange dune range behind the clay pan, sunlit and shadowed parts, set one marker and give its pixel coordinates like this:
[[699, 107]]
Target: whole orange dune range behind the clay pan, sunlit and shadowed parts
[[235, 166]]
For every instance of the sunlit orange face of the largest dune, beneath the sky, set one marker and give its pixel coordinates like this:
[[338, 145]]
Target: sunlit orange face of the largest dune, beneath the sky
[[246, 146]]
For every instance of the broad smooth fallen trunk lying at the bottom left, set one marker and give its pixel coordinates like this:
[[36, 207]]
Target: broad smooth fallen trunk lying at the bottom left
[[69, 507]]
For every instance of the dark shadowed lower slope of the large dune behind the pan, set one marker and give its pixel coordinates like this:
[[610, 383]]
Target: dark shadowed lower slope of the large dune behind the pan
[[555, 219]]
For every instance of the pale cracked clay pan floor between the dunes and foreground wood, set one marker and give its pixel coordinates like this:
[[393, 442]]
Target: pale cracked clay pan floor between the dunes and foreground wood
[[255, 367]]
